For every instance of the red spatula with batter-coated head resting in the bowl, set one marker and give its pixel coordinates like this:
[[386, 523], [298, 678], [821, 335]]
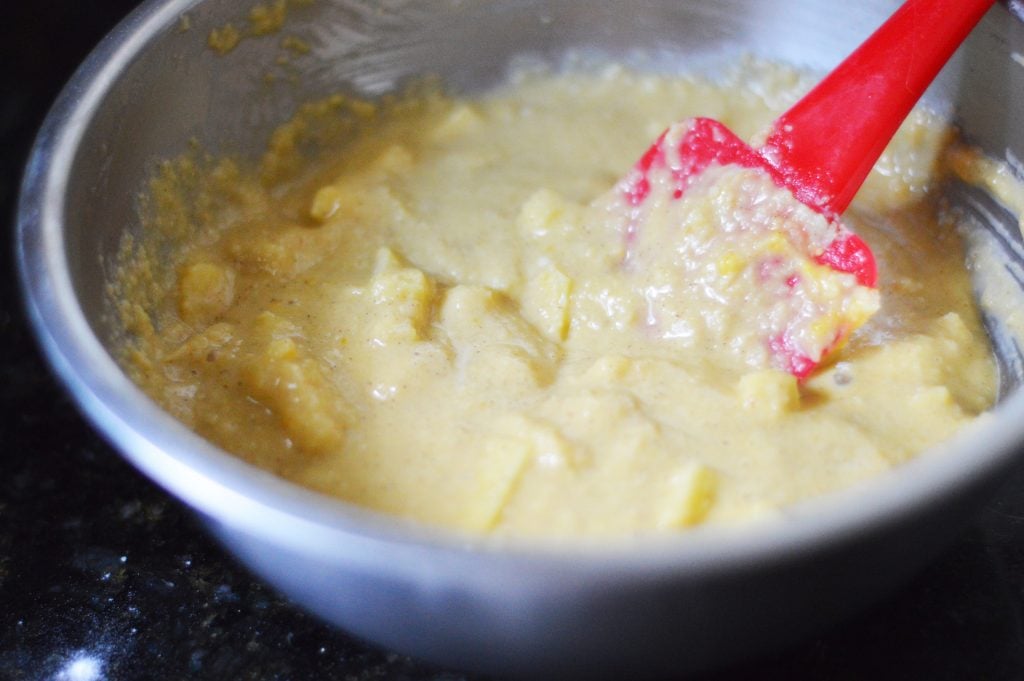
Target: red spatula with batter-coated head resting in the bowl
[[810, 295]]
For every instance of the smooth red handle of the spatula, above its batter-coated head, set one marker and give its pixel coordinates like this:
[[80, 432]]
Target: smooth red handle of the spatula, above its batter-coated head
[[827, 144]]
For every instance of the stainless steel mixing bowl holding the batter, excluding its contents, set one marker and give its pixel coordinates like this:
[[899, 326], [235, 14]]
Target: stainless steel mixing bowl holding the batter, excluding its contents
[[634, 609]]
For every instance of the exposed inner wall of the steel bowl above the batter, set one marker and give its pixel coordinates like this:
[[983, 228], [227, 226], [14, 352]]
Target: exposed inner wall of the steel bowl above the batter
[[156, 84]]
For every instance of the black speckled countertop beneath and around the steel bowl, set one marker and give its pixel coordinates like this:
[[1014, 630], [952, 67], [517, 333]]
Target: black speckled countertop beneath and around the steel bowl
[[104, 576]]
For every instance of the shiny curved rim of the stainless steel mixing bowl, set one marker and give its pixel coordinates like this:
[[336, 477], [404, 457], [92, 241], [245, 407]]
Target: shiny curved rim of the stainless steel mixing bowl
[[243, 497]]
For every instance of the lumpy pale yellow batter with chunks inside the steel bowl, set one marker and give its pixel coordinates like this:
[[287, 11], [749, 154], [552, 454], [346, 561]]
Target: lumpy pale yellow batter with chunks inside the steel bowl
[[440, 321]]
